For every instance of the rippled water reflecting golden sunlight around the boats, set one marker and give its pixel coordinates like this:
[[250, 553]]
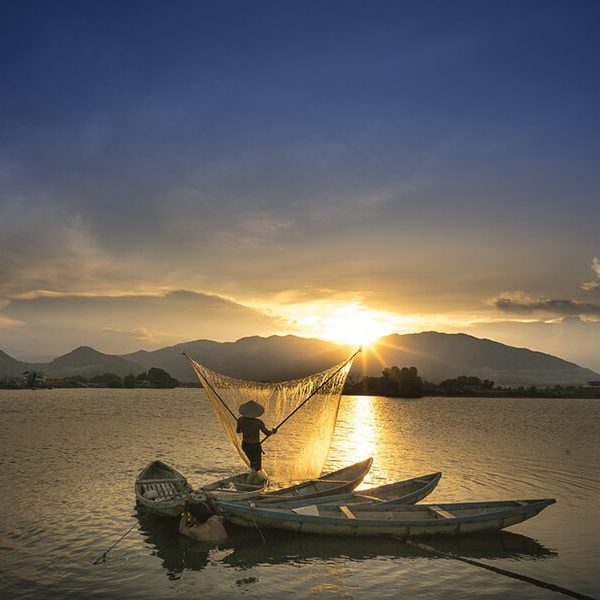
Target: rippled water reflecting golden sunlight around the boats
[[69, 459]]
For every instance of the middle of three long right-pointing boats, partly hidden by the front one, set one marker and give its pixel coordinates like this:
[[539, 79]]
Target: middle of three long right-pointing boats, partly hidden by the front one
[[408, 491]]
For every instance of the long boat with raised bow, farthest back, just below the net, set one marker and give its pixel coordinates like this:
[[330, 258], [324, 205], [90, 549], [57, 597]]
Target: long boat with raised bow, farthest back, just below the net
[[336, 482]]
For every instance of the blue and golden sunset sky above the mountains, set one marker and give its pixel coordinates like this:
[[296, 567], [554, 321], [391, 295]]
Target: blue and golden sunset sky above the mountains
[[184, 170]]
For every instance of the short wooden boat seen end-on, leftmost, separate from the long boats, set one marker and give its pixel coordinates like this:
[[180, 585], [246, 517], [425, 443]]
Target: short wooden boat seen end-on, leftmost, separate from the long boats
[[161, 489]]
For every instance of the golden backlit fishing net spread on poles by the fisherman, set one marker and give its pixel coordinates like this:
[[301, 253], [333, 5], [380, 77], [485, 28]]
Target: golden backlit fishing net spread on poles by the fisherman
[[299, 449]]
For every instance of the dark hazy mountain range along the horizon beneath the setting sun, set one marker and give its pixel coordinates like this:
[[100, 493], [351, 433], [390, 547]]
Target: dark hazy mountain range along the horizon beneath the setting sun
[[437, 356]]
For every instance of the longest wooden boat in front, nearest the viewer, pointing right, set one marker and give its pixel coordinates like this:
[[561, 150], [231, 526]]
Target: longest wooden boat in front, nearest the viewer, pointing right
[[400, 521]]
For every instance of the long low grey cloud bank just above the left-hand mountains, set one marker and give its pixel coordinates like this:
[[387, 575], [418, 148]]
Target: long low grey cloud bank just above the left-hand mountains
[[117, 324]]
